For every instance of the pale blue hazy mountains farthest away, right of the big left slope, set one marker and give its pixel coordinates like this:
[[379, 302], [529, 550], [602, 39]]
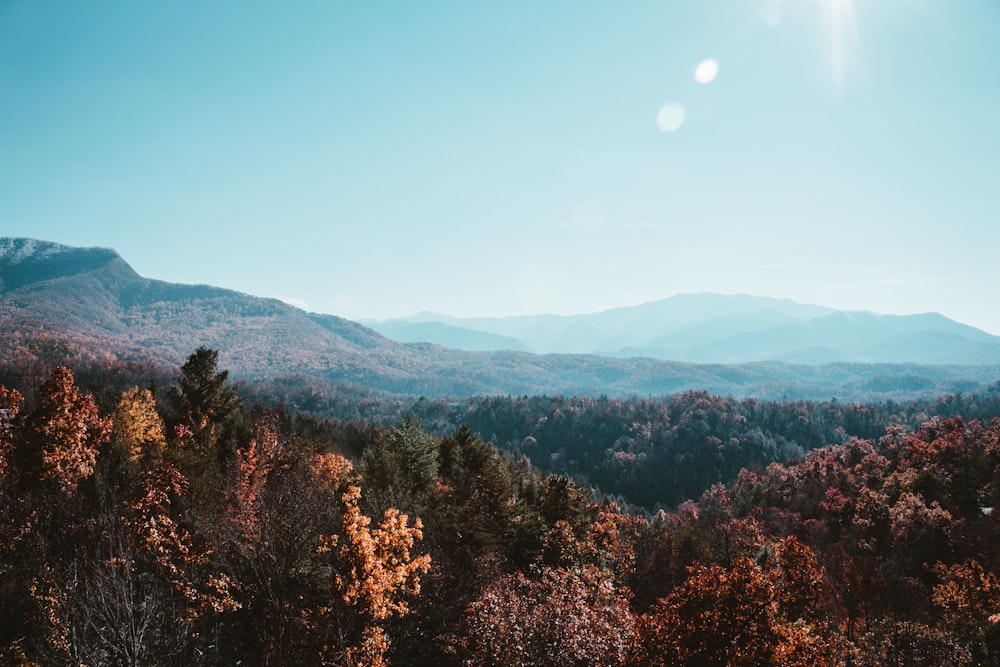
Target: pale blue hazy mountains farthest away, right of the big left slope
[[720, 329]]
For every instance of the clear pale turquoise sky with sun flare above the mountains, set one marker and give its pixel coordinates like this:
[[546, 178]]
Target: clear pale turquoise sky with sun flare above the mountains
[[376, 159]]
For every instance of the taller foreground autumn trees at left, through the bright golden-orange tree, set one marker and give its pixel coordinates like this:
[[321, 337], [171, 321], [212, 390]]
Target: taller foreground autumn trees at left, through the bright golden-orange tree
[[174, 534]]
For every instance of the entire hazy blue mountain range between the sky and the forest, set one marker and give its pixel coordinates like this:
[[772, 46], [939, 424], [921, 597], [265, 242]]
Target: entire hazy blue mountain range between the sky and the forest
[[92, 299]]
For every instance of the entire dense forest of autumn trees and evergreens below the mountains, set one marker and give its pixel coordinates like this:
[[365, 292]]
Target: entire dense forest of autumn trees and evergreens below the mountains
[[158, 517]]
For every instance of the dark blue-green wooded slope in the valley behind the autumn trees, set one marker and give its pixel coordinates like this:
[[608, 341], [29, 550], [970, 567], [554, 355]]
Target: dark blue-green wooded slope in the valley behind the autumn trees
[[658, 452]]
